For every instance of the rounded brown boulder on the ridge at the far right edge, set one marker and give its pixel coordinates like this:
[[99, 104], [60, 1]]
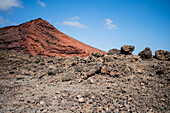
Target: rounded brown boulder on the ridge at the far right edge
[[162, 55]]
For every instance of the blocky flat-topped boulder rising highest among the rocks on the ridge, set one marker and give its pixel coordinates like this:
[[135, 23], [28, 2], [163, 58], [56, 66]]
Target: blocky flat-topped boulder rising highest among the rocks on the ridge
[[127, 49]]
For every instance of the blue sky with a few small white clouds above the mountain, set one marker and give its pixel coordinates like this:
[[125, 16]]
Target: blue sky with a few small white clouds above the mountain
[[104, 24]]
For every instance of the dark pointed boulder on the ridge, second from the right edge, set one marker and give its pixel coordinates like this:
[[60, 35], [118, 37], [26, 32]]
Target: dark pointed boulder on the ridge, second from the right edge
[[146, 53]]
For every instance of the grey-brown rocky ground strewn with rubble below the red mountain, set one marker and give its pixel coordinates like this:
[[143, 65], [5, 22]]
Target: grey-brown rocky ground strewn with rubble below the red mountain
[[99, 83]]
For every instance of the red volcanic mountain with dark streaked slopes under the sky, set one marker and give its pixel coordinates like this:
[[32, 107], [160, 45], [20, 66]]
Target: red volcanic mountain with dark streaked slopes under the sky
[[38, 37]]
